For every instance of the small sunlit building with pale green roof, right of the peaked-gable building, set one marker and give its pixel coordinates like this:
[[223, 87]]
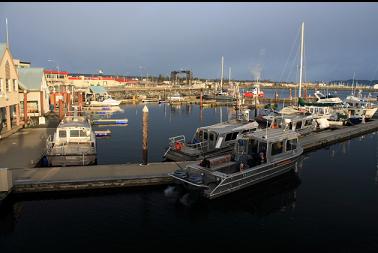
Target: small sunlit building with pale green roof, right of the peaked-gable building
[[33, 81]]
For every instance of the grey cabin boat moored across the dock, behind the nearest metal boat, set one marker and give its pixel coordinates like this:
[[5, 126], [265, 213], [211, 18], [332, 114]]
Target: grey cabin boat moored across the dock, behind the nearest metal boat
[[208, 141]]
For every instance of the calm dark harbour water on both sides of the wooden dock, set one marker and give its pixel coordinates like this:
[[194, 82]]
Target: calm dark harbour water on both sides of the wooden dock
[[329, 205]]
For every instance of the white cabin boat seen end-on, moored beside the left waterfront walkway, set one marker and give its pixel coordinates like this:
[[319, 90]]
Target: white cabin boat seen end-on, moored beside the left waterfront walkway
[[73, 143]]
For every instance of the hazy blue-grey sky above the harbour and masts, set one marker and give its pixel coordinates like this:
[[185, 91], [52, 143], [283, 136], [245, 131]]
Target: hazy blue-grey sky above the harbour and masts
[[257, 40]]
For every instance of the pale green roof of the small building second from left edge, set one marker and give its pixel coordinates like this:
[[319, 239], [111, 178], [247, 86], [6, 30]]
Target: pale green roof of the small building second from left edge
[[30, 78]]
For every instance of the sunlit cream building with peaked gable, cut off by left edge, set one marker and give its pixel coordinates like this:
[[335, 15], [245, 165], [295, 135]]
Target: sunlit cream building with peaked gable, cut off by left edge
[[9, 99]]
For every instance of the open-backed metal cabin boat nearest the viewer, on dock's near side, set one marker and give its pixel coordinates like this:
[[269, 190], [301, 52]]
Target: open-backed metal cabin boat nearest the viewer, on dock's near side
[[258, 156]]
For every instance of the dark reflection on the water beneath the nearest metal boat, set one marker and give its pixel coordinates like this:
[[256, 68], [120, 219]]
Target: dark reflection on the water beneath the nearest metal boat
[[275, 195]]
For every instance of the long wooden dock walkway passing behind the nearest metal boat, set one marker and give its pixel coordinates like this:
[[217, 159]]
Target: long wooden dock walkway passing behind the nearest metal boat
[[127, 175]]
